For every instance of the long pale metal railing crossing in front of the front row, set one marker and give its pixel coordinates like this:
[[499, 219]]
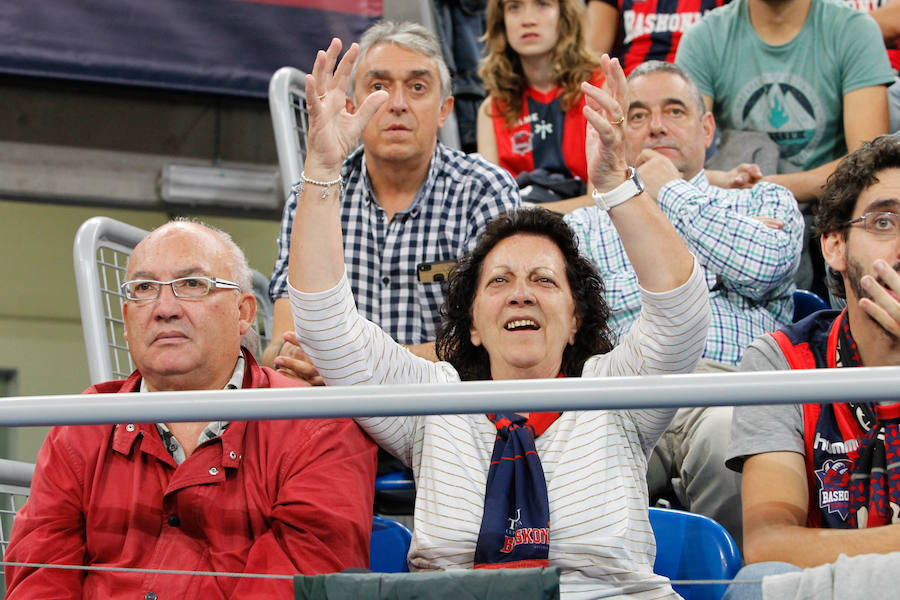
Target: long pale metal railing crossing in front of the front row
[[609, 393]]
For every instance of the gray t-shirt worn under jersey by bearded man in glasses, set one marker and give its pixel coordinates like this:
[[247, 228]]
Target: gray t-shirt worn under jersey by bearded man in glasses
[[764, 428]]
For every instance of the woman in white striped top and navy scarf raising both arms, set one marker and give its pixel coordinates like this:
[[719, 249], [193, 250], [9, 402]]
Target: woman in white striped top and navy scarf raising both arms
[[523, 304]]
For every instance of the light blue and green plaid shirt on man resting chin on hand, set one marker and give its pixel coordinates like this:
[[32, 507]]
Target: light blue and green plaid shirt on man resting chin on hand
[[749, 267]]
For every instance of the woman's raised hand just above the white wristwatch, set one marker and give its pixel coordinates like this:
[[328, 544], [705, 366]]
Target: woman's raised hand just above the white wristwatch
[[605, 111]]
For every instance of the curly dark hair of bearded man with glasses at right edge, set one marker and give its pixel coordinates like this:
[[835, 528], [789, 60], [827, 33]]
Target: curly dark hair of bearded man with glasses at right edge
[[853, 175]]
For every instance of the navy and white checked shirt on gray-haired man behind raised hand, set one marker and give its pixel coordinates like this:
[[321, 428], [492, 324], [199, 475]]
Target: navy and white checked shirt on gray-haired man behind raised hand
[[460, 195]]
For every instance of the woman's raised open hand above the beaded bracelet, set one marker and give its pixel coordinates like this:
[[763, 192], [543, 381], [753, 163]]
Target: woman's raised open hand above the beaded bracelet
[[334, 130]]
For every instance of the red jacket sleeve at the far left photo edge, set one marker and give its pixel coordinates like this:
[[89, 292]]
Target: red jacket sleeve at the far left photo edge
[[50, 527]]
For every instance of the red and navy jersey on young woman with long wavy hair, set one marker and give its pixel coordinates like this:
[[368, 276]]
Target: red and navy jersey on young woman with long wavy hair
[[545, 137]]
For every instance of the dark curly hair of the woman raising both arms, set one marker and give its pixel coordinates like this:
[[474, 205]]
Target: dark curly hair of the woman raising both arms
[[454, 342]]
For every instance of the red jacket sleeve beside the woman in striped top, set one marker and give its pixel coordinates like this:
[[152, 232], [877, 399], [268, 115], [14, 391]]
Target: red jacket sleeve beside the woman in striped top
[[322, 515]]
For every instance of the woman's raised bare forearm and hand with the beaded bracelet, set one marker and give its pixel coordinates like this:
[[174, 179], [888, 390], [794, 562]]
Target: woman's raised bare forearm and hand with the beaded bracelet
[[317, 257]]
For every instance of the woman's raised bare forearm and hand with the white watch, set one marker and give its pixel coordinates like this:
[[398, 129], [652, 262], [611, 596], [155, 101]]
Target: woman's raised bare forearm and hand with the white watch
[[660, 259]]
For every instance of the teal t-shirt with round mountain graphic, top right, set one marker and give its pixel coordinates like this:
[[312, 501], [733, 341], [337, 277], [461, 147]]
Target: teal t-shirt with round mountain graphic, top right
[[793, 91]]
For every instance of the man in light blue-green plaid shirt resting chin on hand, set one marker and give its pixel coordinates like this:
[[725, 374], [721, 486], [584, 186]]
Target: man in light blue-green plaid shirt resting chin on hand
[[748, 240]]
